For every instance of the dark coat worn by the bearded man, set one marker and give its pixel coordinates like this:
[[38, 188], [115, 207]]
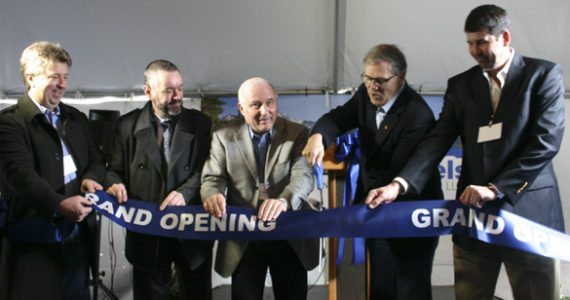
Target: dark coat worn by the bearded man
[[136, 161]]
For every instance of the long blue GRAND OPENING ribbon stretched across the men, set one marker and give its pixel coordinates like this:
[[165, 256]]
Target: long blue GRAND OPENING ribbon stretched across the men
[[398, 219]]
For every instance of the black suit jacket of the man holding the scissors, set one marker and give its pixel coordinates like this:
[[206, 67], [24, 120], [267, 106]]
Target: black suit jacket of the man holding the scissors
[[386, 150]]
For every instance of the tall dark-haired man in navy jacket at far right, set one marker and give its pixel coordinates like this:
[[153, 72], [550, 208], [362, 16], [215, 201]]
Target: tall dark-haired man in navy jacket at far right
[[509, 113]]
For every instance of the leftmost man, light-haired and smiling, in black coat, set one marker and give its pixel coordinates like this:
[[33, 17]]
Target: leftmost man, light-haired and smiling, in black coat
[[47, 159]]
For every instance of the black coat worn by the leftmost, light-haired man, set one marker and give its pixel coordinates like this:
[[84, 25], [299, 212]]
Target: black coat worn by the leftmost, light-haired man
[[31, 166]]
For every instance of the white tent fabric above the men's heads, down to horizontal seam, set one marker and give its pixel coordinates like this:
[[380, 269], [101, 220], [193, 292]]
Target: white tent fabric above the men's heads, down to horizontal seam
[[296, 44]]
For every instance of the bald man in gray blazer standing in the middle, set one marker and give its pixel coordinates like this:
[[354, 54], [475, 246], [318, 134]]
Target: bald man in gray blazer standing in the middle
[[257, 162]]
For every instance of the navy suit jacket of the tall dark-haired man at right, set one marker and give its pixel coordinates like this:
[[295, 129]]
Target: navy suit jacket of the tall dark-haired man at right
[[531, 110]]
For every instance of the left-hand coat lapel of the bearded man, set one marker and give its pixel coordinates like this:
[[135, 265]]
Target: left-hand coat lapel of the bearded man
[[146, 136]]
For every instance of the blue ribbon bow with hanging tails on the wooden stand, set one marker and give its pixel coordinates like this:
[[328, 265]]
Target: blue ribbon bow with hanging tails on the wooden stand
[[348, 148]]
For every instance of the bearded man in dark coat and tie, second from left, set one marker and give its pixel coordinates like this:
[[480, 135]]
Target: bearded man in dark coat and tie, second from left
[[158, 155]]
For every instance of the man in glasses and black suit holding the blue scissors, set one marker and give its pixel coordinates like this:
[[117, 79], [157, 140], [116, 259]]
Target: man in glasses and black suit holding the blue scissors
[[391, 119]]
